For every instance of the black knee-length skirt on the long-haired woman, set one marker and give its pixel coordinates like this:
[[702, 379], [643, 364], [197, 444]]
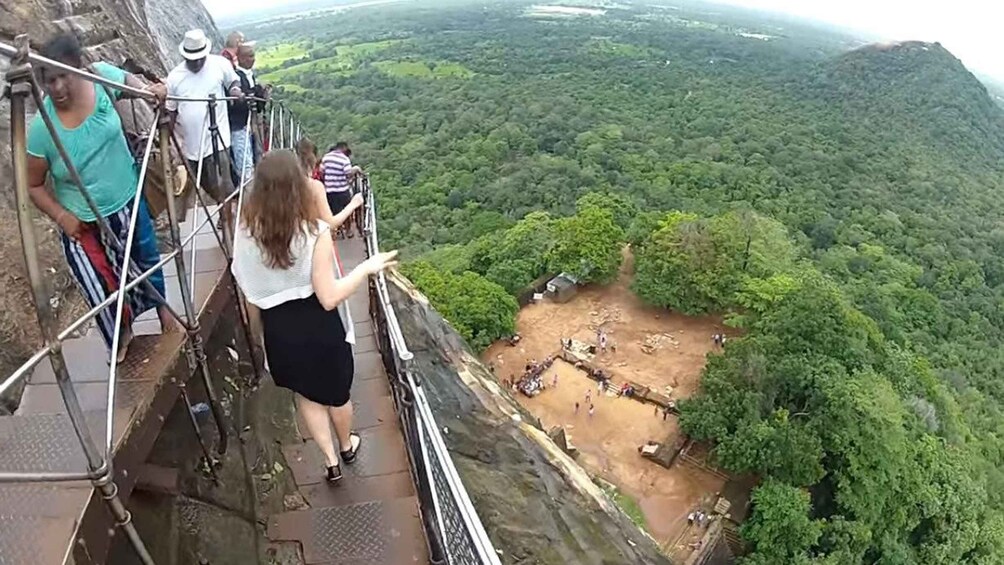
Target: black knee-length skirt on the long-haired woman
[[308, 352]]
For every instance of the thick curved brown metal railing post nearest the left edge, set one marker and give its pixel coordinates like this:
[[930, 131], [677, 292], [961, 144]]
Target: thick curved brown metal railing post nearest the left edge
[[21, 89]]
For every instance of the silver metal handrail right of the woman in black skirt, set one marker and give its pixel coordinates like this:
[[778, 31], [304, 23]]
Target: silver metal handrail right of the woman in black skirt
[[435, 457]]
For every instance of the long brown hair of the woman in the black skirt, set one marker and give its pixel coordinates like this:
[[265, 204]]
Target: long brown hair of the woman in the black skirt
[[280, 207]]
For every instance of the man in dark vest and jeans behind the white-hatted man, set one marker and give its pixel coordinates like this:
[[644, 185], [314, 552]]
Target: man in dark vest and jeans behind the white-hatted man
[[241, 125]]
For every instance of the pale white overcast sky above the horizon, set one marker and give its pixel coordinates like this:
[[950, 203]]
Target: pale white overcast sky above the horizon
[[972, 30]]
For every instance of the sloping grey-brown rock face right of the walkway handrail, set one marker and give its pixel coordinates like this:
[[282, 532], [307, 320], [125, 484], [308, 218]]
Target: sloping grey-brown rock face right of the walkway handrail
[[539, 505]]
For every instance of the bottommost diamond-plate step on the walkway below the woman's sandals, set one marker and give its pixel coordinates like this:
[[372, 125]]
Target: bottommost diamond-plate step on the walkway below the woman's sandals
[[376, 533]]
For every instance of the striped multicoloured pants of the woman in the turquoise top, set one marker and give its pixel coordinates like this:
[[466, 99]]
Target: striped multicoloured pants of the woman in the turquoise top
[[97, 266]]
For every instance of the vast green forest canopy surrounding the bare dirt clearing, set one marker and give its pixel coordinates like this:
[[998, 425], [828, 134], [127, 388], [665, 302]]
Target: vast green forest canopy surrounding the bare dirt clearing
[[843, 205]]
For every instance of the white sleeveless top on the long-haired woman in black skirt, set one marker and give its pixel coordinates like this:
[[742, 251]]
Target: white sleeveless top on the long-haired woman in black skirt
[[267, 288]]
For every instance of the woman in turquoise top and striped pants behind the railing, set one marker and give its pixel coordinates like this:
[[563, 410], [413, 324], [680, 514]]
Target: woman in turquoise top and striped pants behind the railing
[[92, 133]]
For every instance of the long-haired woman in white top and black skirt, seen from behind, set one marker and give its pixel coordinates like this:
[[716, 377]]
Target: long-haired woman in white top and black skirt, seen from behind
[[285, 264]]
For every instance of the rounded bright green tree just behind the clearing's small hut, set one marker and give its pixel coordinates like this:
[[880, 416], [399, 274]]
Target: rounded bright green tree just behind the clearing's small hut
[[588, 245]]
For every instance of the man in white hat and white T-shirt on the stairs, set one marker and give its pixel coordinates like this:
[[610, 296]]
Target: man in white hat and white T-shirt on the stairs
[[203, 76]]
